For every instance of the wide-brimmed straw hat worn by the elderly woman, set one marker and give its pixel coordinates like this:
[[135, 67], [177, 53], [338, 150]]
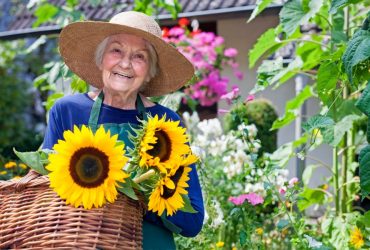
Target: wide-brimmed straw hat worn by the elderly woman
[[78, 42]]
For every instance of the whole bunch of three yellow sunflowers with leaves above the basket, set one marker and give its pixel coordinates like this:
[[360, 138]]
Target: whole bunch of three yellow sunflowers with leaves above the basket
[[89, 168]]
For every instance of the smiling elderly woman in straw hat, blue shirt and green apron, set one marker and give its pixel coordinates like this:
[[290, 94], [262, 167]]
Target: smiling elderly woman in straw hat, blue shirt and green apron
[[126, 61]]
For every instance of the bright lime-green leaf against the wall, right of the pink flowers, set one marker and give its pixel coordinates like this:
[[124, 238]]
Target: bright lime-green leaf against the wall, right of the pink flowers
[[267, 42]]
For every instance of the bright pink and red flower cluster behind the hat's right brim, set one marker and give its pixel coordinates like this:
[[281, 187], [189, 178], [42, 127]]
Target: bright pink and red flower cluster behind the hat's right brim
[[209, 55]]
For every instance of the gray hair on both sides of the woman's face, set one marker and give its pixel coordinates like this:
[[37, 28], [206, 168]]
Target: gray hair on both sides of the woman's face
[[153, 57]]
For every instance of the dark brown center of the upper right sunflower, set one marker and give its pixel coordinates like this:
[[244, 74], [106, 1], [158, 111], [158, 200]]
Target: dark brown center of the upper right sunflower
[[162, 148]]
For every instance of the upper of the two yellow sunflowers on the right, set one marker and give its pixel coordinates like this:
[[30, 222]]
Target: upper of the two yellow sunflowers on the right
[[162, 142]]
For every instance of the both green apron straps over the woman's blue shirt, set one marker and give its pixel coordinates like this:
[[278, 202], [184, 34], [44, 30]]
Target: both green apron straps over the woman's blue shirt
[[95, 110]]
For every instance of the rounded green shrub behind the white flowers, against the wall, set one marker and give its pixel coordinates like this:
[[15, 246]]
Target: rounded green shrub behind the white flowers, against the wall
[[259, 112]]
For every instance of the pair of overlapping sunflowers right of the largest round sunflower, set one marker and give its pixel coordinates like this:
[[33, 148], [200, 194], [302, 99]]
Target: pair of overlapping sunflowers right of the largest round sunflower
[[162, 146]]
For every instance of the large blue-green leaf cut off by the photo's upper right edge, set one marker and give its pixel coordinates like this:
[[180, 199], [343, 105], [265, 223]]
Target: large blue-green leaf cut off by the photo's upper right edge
[[356, 58]]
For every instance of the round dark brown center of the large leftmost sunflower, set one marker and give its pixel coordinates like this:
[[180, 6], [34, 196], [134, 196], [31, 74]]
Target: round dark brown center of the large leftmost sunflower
[[89, 167]]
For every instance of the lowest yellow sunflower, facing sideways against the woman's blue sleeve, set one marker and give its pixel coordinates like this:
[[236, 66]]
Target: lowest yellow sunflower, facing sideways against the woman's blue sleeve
[[167, 195]]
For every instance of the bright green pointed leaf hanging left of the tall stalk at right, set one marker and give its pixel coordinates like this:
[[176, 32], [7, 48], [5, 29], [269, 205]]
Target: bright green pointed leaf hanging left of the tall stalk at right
[[327, 77]]
